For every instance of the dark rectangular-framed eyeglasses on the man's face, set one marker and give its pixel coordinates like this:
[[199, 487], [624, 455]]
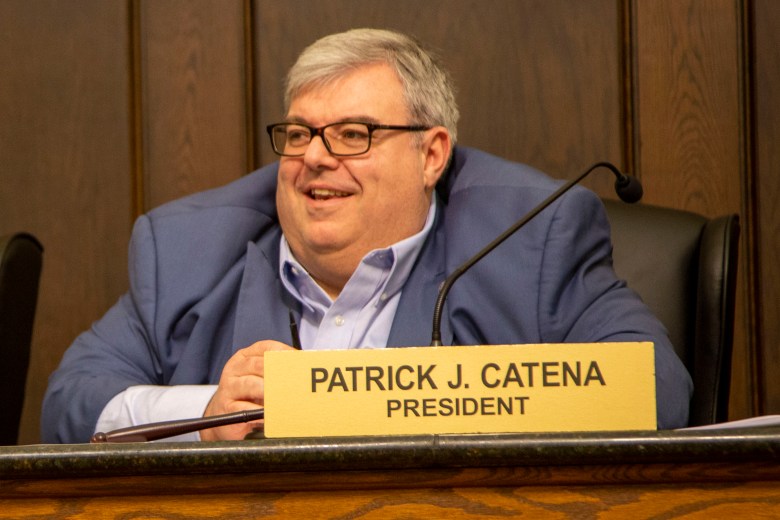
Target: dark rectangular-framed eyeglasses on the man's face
[[342, 139]]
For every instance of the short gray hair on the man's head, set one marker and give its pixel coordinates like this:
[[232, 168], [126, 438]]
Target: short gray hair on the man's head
[[428, 90]]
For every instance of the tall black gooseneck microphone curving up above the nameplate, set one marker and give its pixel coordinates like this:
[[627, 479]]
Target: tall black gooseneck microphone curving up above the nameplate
[[628, 188]]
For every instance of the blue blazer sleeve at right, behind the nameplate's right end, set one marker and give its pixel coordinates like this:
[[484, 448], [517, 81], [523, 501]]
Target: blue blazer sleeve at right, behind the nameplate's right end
[[581, 297]]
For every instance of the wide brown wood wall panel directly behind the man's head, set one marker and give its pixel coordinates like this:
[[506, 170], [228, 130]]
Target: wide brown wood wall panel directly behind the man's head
[[539, 81]]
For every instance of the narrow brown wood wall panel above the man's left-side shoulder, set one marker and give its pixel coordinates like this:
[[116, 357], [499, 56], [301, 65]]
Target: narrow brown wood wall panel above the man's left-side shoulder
[[192, 102]]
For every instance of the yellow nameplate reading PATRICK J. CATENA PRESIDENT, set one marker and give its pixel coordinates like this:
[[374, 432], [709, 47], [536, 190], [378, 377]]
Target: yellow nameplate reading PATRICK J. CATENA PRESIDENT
[[475, 389]]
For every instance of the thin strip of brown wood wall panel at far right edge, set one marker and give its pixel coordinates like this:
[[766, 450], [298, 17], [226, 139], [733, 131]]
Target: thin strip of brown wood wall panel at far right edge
[[767, 122]]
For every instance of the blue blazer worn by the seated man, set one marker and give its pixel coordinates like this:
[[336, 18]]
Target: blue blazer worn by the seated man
[[204, 283]]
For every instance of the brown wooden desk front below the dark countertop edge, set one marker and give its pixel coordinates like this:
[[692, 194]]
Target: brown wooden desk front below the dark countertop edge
[[668, 491]]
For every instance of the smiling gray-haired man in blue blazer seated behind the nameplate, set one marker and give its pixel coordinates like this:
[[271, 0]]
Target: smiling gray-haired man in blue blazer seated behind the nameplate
[[350, 235]]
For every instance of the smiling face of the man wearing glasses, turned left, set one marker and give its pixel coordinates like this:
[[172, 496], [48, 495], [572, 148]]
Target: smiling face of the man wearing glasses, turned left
[[333, 210]]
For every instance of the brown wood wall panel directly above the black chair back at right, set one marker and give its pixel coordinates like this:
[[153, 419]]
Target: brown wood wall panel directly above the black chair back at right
[[691, 127]]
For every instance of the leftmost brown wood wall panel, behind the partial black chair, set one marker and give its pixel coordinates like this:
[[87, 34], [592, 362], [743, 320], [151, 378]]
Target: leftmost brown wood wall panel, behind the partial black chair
[[64, 156]]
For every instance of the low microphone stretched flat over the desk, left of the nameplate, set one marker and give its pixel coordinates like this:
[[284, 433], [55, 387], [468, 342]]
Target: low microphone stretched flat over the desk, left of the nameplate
[[162, 430]]
